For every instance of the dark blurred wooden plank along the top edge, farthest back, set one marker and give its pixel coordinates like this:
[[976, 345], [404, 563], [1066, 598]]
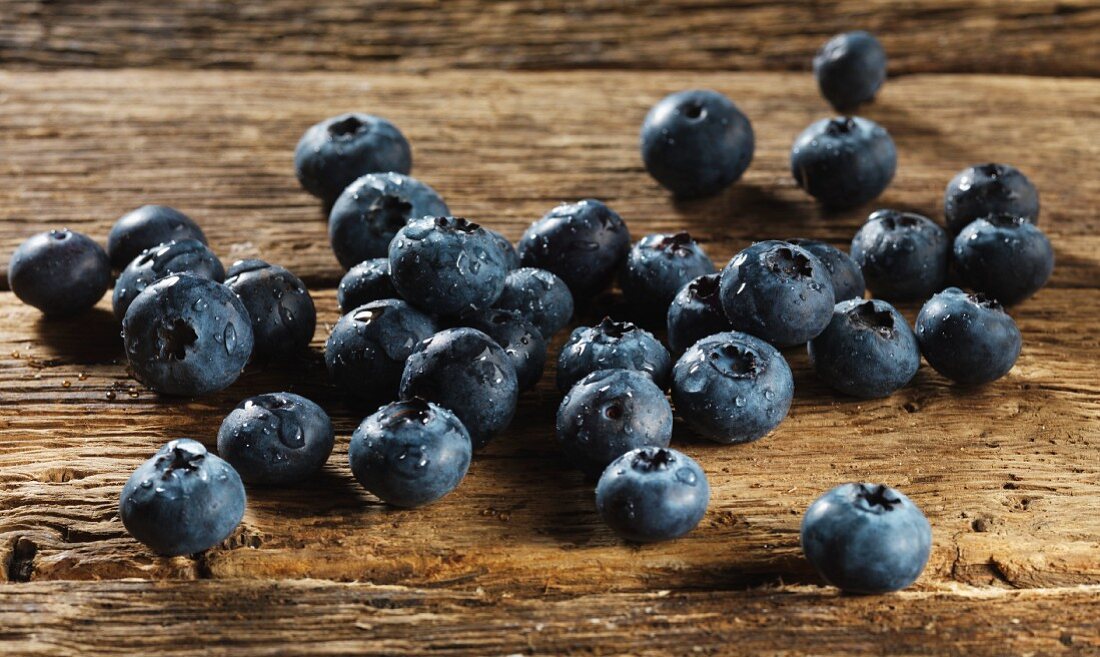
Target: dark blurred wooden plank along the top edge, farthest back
[[1032, 37]]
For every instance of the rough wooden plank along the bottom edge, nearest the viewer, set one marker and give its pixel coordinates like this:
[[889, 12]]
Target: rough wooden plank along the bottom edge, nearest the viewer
[[311, 618]]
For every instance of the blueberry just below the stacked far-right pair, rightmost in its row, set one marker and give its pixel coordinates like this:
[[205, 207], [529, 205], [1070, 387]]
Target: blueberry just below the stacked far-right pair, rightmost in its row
[[967, 338]]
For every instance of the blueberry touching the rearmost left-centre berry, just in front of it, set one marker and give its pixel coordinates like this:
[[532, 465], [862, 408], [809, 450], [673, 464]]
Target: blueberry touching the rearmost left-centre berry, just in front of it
[[372, 210]]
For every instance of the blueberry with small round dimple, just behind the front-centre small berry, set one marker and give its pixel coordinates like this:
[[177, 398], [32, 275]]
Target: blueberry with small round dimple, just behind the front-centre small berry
[[609, 413]]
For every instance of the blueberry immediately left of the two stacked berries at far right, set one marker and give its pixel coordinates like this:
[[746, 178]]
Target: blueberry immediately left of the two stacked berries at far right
[[903, 256]]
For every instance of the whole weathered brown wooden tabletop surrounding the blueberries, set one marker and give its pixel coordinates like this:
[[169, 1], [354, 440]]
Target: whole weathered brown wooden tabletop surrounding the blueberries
[[513, 107]]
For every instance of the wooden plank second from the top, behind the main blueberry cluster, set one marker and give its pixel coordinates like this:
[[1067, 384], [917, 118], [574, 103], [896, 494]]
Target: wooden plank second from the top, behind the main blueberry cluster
[[81, 149]]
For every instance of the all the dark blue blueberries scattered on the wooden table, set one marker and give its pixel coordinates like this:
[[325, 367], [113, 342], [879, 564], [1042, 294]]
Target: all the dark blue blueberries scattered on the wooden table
[[446, 323]]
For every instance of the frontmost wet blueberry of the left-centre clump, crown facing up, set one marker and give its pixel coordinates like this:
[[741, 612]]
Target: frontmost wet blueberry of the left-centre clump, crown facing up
[[410, 454]]
